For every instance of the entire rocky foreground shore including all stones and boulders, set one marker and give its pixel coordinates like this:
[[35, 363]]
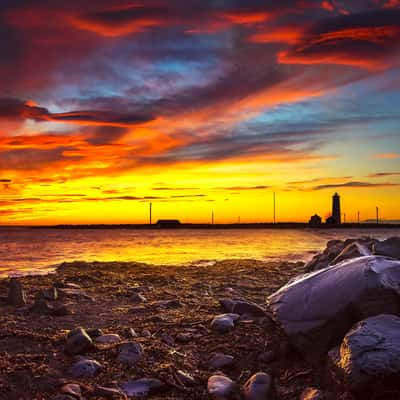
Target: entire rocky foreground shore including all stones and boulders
[[240, 329]]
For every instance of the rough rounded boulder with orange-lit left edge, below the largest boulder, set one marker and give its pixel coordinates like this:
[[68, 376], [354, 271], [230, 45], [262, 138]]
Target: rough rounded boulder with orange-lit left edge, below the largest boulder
[[370, 352]]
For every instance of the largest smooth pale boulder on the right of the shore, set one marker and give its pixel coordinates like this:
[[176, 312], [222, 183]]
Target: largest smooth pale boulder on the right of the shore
[[317, 309]]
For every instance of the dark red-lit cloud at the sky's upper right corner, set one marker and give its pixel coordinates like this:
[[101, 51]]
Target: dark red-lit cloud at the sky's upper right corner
[[365, 40]]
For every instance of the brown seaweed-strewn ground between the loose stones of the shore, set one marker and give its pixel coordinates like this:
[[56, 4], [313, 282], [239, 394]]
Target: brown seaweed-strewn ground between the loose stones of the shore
[[32, 343]]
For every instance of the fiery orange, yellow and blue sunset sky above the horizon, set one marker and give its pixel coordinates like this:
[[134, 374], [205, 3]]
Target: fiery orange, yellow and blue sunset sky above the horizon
[[198, 106]]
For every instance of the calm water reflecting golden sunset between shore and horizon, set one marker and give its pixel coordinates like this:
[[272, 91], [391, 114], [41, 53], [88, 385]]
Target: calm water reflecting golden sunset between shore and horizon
[[40, 250]]
